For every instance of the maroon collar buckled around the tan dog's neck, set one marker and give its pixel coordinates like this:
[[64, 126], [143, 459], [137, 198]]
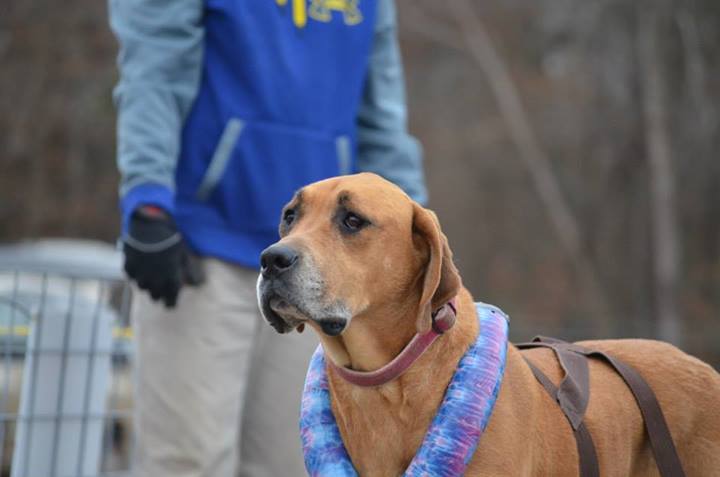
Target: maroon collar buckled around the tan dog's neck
[[442, 320]]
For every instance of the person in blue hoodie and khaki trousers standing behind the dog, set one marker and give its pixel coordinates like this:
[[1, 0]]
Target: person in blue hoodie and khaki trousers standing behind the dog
[[225, 108]]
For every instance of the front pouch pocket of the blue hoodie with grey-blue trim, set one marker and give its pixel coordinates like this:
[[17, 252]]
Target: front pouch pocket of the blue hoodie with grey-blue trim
[[257, 167]]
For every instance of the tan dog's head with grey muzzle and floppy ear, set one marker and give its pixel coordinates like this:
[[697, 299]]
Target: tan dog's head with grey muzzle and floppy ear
[[354, 247]]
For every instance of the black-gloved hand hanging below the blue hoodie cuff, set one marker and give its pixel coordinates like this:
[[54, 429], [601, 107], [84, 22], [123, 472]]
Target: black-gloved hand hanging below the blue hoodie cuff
[[156, 256]]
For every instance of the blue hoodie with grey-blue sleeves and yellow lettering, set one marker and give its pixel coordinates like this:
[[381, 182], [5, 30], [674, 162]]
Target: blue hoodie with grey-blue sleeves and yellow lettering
[[226, 107]]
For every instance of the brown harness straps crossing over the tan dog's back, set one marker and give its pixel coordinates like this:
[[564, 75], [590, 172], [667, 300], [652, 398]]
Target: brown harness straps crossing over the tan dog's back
[[573, 395]]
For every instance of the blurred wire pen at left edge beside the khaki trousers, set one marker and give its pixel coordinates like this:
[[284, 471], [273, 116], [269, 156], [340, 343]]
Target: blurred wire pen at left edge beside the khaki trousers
[[65, 366]]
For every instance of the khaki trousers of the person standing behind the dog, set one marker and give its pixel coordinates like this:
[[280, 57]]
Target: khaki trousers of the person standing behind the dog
[[218, 390]]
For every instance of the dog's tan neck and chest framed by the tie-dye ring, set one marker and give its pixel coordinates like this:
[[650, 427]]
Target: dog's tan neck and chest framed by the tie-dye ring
[[398, 413]]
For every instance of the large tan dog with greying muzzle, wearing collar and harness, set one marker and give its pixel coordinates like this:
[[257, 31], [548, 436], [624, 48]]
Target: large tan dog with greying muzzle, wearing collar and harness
[[364, 265]]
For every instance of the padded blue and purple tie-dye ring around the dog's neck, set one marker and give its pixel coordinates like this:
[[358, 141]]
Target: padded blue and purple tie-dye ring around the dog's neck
[[454, 432]]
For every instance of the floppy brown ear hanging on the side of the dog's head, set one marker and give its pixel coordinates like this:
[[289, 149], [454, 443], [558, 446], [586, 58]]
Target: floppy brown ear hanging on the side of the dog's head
[[441, 281]]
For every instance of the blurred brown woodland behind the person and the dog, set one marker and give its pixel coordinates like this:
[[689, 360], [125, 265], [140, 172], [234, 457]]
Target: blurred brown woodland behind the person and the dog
[[571, 151]]
